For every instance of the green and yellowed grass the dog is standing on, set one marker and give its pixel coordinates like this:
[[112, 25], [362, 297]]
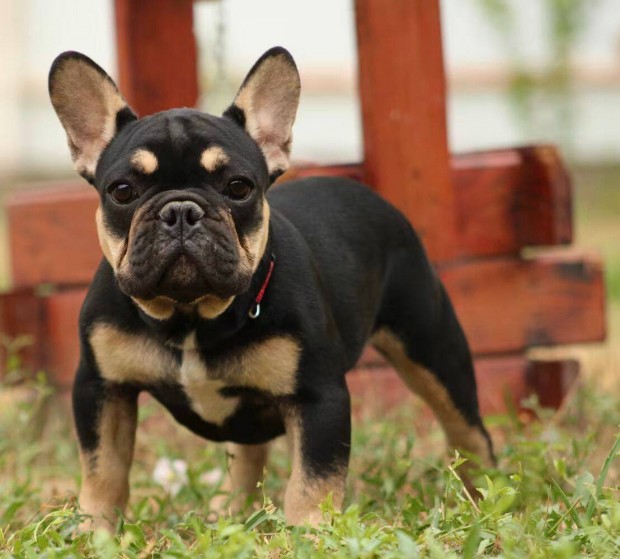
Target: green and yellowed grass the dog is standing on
[[555, 493]]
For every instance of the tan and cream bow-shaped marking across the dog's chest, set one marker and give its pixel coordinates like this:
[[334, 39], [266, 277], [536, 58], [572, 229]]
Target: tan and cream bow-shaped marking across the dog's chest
[[269, 366]]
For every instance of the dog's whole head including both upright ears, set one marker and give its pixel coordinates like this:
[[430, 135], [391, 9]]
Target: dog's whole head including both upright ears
[[182, 218]]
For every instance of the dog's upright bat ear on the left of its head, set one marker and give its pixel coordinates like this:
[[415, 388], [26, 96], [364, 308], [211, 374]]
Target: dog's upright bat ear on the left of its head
[[89, 106]]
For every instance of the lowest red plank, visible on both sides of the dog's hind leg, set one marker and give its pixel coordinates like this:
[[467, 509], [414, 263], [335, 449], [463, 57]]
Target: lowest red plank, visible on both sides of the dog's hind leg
[[503, 384]]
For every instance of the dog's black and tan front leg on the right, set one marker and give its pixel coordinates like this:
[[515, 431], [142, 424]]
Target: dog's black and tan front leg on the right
[[319, 437]]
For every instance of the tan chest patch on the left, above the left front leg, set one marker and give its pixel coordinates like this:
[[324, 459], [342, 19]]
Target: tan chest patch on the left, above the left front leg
[[125, 357]]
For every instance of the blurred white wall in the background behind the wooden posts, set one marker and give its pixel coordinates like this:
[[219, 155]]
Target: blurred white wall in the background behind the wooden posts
[[321, 36]]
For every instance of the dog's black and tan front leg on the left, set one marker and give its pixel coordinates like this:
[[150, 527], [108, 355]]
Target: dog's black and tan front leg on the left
[[105, 416]]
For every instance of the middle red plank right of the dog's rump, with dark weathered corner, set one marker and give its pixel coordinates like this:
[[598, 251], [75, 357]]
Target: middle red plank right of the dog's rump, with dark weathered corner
[[509, 304]]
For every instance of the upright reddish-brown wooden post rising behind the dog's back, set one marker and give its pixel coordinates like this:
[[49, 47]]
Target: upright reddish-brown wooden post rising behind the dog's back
[[402, 95]]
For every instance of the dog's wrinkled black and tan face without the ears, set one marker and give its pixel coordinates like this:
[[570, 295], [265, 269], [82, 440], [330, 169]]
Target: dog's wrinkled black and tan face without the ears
[[183, 216]]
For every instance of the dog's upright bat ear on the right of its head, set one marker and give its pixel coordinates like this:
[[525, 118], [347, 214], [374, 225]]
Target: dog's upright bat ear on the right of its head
[[266, 105]]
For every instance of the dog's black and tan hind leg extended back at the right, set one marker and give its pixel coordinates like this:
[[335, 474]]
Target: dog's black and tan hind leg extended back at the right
[[421, 336]]
